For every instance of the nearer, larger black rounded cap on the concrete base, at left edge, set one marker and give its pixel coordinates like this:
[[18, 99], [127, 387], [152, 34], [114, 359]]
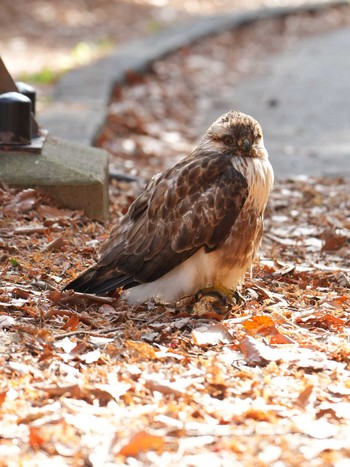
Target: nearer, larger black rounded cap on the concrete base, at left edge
[[15, 118]]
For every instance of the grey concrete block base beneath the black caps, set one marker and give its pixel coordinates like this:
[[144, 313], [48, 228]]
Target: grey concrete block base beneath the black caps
[[76, 176]]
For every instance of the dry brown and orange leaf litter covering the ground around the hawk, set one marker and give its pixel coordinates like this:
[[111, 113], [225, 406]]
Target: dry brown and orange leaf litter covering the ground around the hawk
[[91, 381]]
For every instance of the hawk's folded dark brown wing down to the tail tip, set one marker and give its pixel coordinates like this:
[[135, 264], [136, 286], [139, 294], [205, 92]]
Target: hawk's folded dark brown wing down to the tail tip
[[192, 205]]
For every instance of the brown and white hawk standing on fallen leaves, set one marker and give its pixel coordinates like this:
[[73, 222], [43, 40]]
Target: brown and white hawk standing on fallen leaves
[[197, 225]]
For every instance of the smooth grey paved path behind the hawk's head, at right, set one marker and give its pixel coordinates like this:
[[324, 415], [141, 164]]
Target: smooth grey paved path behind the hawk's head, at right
[[301, 97]]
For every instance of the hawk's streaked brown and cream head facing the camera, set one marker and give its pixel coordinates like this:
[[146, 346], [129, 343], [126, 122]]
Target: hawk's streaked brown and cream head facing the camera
[[235, 133]]
